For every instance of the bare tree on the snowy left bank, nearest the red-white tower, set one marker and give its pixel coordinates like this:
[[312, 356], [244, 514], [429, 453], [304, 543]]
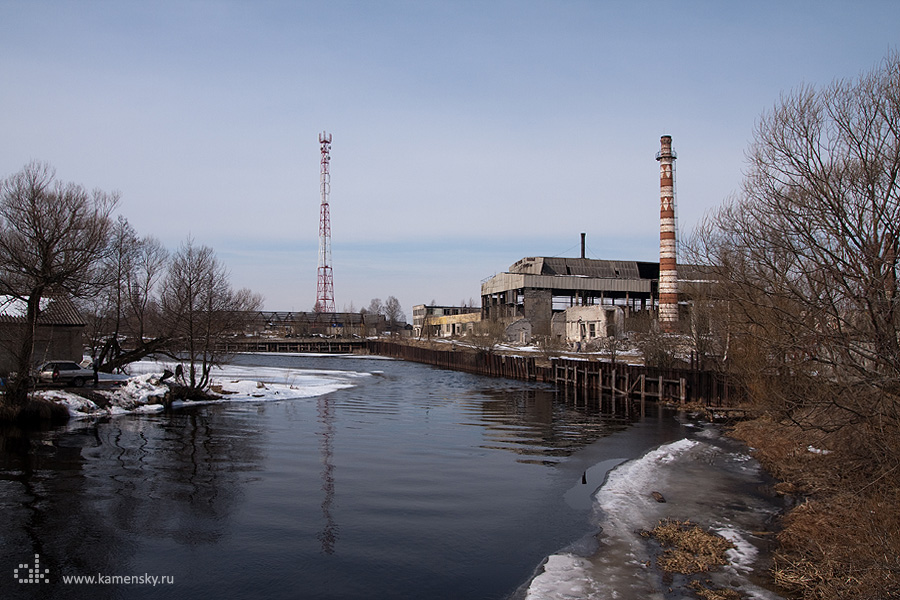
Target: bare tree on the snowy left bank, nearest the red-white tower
[[200, 305]]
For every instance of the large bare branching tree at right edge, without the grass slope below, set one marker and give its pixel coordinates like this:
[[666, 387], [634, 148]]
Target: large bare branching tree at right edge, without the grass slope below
[[807, 259]]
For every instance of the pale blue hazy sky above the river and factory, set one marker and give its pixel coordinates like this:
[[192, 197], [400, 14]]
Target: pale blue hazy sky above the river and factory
[[466, 134]]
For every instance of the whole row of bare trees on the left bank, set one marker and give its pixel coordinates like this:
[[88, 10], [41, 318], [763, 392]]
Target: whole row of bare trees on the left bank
[[57, 239]]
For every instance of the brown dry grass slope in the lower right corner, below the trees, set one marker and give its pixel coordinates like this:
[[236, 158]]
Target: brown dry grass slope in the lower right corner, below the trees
[[843, 539]]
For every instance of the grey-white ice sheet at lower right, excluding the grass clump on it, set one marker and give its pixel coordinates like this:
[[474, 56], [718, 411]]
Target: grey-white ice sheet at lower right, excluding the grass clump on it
[[708, 480]]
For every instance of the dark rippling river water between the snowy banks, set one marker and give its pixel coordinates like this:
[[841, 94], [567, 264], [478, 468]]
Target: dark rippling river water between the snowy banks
[[415, 482]]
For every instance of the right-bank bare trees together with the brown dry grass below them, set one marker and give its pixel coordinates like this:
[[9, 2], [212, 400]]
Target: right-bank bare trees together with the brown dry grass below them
[[805, 311]]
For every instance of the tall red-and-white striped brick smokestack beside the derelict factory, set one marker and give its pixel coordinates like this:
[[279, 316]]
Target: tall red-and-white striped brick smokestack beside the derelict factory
[[668, 275]]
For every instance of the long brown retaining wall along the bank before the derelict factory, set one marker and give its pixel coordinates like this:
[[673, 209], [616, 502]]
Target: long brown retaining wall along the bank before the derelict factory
[[615, 380]]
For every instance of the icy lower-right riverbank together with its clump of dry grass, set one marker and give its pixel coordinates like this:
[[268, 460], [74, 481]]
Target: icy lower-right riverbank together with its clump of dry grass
[[705, 480]]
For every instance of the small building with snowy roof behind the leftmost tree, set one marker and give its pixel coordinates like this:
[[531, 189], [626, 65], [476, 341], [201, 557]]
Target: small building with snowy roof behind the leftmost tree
[[59, 333]]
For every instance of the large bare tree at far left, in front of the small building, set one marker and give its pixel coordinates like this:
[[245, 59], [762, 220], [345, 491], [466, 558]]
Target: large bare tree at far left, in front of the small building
[[53, 237]]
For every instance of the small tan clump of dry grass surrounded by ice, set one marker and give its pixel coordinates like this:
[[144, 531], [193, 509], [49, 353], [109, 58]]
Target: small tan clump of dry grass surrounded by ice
[[688, 549]]
